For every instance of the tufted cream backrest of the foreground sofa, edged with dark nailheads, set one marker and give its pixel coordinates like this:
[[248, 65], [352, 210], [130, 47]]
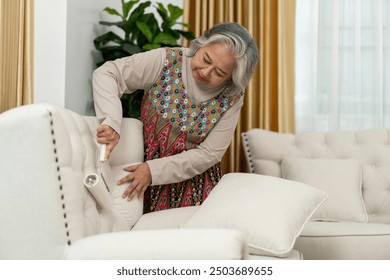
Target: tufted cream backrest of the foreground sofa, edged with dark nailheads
[[46, 153]]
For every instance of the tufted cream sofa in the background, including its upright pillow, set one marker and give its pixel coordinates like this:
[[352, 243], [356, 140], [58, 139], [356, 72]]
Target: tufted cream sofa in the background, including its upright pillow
[[353, 167]]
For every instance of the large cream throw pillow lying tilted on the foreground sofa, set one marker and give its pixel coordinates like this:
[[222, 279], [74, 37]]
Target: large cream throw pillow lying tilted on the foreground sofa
[[270, 211]]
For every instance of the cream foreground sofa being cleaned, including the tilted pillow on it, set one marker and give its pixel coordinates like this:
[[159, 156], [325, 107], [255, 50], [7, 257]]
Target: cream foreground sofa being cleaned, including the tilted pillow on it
[[49, 210]]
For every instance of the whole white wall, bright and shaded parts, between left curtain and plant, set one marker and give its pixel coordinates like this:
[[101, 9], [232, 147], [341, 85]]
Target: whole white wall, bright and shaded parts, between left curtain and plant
[[64, 53]]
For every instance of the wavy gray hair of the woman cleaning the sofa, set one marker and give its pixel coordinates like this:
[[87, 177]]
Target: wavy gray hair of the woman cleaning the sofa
[[240, 43]]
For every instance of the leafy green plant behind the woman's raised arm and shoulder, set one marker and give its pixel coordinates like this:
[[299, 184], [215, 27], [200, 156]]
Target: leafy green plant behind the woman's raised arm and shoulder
[[141, 32]]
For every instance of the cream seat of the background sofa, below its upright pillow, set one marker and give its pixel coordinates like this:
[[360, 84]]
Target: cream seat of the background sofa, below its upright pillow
[[344, 241]]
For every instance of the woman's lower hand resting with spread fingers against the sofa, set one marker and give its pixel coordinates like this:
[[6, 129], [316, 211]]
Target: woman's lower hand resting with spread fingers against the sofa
[[139, 180]]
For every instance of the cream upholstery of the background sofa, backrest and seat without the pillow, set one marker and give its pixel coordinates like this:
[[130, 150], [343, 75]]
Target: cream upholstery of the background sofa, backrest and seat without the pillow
[[265, 151]]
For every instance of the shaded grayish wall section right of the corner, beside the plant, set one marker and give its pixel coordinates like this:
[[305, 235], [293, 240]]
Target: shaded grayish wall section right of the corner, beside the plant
[[81, 57]]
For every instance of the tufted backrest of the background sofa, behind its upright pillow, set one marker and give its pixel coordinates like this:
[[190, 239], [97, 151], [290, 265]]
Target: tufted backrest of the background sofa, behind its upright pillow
[[265, 151]]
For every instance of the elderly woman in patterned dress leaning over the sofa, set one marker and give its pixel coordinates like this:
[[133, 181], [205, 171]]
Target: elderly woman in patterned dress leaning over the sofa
[[192, 101]]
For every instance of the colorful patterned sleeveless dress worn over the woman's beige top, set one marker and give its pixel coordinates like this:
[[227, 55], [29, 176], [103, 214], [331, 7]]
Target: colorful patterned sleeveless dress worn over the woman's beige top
[[174, 122]]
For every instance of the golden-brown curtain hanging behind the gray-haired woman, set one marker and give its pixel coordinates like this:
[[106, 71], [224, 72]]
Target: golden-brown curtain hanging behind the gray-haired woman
[[269, 98]]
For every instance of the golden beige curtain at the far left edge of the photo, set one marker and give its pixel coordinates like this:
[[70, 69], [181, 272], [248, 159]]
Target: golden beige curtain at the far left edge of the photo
[[16, 50]]
